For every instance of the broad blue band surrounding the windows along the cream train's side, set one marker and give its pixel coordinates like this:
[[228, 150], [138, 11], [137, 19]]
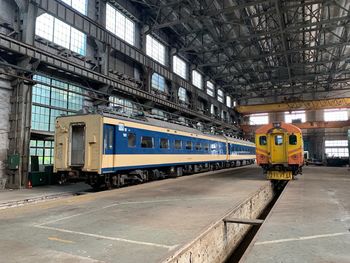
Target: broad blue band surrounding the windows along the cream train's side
[[116, 142]]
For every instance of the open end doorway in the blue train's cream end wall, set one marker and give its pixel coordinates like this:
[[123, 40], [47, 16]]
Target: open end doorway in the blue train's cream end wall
[[77, 145]]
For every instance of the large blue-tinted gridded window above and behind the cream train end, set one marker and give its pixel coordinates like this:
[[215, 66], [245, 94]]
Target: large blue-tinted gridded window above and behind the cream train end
[[48, 93]]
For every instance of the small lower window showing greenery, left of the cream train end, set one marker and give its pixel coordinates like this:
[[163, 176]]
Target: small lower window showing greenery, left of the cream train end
[[43, 149]]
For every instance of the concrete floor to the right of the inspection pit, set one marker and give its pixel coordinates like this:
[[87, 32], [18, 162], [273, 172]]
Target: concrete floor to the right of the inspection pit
[[309, 223]]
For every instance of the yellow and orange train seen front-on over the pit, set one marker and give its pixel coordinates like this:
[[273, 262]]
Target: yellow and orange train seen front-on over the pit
[[279, 150]]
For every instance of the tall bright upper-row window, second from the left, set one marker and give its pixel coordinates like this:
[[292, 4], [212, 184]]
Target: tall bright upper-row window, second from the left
[[120, 25]]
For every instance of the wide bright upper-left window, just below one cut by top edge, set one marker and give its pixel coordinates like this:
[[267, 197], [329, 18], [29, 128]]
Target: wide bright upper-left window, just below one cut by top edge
[[60, 33]]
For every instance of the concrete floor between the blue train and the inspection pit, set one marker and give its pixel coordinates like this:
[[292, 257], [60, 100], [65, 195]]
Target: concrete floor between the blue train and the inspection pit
[[143, 223]]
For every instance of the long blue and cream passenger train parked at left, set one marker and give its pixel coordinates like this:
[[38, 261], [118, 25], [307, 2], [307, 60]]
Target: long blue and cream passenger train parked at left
[[112, 150]]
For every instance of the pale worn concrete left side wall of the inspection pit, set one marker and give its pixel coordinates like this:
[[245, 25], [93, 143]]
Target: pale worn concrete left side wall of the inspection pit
[[217, 242]]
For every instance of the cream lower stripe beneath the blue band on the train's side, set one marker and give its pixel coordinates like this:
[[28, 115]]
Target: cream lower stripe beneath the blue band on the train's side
[[122, 160]]
